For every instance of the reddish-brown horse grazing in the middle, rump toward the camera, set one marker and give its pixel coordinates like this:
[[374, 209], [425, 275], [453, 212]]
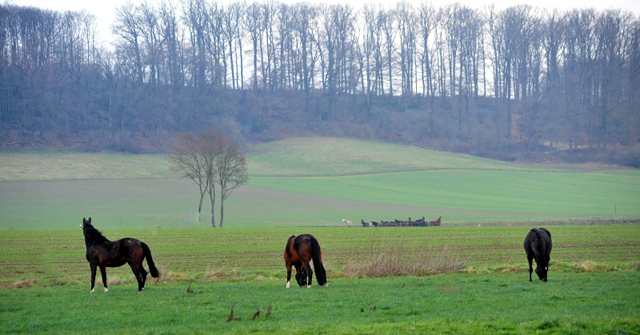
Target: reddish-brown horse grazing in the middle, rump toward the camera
[[299, 252]]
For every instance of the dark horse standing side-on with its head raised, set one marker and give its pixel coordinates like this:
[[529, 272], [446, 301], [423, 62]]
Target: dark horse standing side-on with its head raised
[[104, 253]]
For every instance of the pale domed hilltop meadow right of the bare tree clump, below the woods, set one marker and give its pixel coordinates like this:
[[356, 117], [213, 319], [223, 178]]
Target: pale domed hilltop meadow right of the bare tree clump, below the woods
[[326, 156]]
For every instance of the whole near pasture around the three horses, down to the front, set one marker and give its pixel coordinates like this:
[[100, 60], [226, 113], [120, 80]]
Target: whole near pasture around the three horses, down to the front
[[592, 288]]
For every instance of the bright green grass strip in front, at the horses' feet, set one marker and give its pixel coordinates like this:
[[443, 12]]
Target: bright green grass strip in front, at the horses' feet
[[570, 303]]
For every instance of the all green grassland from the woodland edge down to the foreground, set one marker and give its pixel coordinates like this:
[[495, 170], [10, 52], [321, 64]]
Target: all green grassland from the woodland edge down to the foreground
[[468, 276]]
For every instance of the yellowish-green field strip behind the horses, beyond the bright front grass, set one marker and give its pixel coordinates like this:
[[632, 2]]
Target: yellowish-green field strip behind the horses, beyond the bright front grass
[[53, 256]]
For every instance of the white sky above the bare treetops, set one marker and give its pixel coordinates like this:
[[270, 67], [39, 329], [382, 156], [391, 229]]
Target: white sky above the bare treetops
[[104, 10]]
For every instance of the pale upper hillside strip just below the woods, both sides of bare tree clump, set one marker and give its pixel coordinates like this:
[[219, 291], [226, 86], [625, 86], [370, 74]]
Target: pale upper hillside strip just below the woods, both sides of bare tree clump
[[305, 156]]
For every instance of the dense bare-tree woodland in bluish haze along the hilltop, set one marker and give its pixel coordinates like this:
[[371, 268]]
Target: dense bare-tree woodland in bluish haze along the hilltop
[[520, 83]]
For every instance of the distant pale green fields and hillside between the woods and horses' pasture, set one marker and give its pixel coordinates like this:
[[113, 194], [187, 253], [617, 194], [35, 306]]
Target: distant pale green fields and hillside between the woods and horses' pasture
[[311, 182]]
